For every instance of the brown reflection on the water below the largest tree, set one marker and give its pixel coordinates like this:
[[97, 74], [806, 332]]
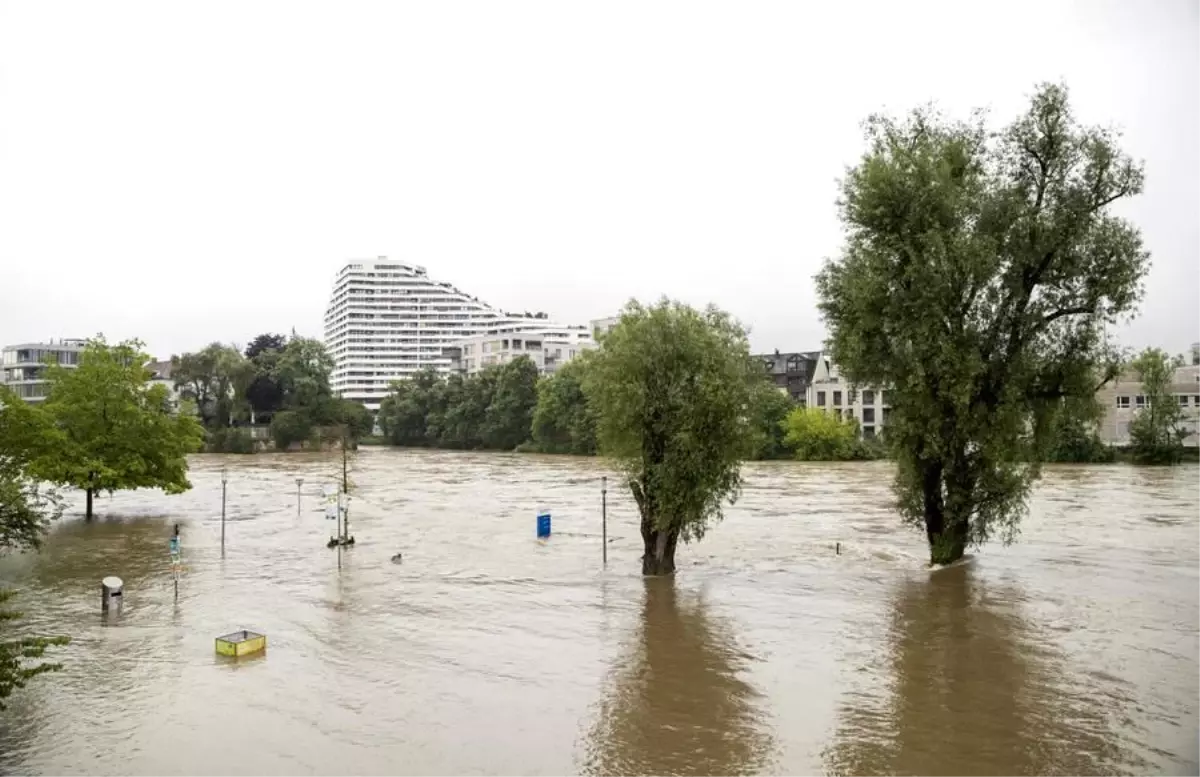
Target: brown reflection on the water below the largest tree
[[973, 691]]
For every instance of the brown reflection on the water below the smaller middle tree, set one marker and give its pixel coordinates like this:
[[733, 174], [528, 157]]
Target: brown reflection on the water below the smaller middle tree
[[679, 706]]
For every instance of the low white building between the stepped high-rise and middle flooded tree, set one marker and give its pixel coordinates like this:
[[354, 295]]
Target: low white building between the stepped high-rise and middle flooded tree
[[549, 348]]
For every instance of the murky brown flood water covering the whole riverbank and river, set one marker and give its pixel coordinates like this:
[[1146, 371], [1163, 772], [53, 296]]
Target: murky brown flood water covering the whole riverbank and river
[[487, 652]]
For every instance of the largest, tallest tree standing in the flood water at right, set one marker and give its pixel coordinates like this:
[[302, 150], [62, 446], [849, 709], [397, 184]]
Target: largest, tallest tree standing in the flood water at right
[[979, 278]]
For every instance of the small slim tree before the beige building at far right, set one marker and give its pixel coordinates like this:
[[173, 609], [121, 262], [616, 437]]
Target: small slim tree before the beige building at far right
[[1157, 431]]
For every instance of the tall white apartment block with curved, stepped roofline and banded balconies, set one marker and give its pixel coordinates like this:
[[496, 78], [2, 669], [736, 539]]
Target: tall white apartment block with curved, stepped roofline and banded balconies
[[388, 321]]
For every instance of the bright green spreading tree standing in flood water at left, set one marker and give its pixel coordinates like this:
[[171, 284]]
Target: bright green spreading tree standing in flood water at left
[[115, 431]]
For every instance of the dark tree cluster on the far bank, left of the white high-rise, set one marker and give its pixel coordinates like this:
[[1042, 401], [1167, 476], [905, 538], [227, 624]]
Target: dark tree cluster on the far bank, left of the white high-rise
[[277, 381]]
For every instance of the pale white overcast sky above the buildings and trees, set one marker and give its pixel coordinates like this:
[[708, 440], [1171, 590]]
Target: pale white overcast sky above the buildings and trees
[[195, 172]]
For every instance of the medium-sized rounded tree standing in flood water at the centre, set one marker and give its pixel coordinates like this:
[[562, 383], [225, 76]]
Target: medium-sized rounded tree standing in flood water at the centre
[[671, 389]]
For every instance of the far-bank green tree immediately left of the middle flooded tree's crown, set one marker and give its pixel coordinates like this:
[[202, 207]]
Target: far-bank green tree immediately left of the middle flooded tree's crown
[[562, 421]]
